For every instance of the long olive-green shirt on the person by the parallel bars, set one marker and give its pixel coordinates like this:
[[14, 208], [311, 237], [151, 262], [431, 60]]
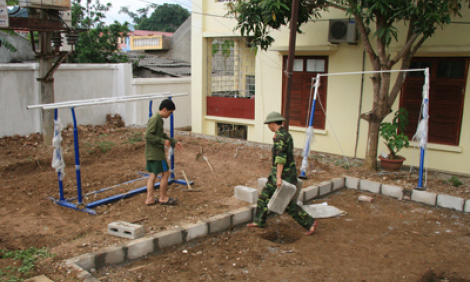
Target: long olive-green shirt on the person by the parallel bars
[[155, 139]]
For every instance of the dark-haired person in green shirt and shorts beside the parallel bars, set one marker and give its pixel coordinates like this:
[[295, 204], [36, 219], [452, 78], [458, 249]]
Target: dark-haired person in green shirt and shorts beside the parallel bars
[[155, 155]]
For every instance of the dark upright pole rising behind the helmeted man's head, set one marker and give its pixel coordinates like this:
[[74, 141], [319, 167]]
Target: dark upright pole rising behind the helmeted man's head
[[290, 60]]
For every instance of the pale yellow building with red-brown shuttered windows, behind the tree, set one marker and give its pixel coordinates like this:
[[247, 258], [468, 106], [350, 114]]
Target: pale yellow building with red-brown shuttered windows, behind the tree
[[233, 88]]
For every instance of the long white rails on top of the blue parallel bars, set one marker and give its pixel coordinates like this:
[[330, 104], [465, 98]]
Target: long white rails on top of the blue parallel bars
[[101, 101]]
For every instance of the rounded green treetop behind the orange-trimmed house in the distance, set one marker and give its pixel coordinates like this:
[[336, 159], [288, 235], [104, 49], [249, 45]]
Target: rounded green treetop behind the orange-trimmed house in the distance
[[166, 18]]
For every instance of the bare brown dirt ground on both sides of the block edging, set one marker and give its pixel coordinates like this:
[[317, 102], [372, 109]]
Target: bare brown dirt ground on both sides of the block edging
[[370, 243]]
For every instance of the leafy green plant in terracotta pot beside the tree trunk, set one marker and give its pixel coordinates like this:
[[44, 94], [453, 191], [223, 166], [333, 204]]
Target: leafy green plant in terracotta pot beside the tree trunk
[[395, 139]]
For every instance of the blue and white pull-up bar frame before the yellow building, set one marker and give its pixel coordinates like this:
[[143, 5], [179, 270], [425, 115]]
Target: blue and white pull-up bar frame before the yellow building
[[421, 133]]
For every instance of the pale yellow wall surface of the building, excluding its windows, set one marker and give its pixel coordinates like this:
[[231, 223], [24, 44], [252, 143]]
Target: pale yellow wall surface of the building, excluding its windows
[[344, 101]]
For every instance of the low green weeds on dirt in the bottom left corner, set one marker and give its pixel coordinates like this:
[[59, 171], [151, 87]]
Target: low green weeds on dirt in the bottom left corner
[[27, 257]]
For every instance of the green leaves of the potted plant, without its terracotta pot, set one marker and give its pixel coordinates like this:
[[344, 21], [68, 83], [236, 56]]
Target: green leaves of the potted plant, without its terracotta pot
[[393, 133]]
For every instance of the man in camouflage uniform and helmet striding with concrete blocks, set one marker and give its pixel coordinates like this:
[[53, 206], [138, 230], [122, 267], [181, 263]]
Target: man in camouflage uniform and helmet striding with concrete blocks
[[283, 168]]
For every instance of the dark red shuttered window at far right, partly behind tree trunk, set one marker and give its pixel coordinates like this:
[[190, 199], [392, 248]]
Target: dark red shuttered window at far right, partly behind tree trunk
[[446, 96]]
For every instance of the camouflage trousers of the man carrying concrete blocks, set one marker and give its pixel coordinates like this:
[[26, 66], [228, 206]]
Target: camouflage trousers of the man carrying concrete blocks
[[294, 210]]
